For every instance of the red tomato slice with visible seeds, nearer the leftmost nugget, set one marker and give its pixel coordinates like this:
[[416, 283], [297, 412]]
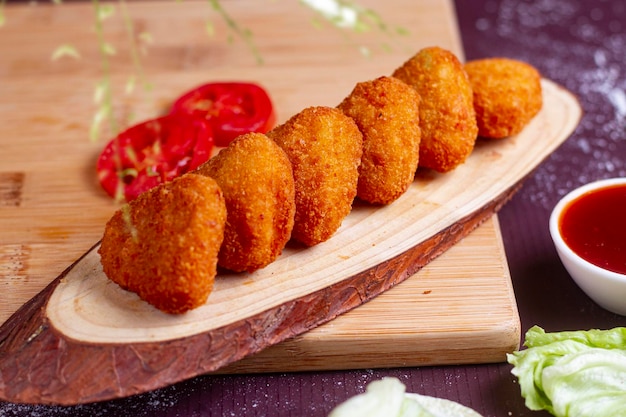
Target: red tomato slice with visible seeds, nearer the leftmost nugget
[[153, 152]]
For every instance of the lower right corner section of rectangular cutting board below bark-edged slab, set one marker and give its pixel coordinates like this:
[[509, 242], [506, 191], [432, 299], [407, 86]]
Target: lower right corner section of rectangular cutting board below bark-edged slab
[[437, 316]]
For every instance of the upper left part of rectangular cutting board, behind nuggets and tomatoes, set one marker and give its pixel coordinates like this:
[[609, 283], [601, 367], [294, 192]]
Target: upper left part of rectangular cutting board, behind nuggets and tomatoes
[[52, 209]]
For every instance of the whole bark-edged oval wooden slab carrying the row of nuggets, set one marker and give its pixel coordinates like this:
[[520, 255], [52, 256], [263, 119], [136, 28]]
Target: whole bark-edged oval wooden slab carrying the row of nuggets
[[84, 340]]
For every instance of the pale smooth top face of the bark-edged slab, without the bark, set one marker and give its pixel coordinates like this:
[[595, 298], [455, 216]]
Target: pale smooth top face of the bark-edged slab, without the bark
[[88, 307]]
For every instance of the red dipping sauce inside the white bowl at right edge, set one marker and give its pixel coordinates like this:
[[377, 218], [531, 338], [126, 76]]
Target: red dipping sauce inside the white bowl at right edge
[[594, 226]]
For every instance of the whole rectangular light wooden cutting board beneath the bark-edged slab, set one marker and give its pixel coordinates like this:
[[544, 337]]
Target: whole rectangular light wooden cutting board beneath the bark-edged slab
[[52, 211]]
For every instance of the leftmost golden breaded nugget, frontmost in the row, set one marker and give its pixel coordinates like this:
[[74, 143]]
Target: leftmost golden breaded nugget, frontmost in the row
[[163, 245]]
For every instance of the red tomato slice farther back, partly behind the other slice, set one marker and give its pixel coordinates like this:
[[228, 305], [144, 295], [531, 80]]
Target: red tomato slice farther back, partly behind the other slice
[[233, 108]]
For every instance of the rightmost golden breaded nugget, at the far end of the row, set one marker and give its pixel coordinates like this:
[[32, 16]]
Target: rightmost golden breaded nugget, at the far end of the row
[[507, 95]]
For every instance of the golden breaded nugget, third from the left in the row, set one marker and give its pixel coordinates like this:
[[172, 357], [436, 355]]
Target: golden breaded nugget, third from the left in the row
[[324, 147]]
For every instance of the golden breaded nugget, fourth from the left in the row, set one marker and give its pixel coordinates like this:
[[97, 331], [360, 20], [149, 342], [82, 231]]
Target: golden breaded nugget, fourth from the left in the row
[[386, 110]]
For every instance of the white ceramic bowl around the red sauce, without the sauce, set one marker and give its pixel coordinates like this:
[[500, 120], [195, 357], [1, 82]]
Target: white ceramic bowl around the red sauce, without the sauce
[[606, 288]]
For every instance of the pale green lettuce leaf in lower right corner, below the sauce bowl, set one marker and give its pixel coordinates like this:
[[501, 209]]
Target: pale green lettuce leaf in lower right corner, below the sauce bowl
[[573, 373]]
